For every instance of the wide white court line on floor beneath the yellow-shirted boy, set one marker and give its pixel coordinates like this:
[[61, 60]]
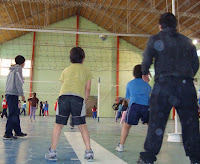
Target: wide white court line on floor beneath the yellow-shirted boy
[[101, 155]]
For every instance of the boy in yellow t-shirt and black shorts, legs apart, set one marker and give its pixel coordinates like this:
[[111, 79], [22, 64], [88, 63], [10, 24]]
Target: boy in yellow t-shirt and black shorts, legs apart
[[74, 92]]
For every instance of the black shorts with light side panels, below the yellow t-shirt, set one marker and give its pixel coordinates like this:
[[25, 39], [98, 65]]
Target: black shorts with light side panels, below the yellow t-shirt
[[69, 104]]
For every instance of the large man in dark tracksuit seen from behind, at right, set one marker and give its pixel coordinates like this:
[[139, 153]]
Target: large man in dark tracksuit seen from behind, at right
[[176, 63]]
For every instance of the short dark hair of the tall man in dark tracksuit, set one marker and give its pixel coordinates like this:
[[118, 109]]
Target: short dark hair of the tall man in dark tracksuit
[[167, 20]]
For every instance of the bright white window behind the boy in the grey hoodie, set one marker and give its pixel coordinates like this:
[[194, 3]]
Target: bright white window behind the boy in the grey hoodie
[[6, 63]]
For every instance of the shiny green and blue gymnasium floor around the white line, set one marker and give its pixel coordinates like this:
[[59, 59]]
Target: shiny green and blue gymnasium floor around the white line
[[106, 133]]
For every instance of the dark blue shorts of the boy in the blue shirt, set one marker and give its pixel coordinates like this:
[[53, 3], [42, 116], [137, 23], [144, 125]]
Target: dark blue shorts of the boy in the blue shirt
[[137, 112]]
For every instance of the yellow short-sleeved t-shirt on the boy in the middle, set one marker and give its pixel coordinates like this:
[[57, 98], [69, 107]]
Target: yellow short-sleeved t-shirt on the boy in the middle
[[74, 79]]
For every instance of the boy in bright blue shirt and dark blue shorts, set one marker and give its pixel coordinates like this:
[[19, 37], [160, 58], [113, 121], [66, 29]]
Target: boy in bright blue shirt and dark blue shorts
[[137, 92]]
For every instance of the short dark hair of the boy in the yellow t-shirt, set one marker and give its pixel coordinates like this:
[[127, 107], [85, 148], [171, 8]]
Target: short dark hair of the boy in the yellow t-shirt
[[77, 55]]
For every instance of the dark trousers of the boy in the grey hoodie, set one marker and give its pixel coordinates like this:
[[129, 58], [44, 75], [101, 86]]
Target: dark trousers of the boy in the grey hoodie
[[13, 121]]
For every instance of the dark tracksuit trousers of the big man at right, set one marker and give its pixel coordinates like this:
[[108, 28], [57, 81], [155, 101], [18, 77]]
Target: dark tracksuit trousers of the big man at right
[[166, 93]]
